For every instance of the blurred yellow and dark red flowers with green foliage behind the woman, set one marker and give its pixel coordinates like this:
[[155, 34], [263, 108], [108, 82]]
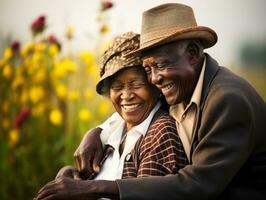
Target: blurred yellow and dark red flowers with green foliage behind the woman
[[47, 102]]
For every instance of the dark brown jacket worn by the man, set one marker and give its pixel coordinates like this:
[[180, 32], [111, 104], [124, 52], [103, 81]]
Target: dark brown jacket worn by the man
[[228, 155]]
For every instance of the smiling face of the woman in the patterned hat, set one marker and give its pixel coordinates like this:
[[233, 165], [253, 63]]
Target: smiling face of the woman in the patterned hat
[[132, 96]]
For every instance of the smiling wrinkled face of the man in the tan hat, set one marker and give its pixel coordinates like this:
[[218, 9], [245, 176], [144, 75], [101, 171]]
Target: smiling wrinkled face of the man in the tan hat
[[174, 69]]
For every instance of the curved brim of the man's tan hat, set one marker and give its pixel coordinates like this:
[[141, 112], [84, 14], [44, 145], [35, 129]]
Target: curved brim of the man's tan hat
[[207, 36]]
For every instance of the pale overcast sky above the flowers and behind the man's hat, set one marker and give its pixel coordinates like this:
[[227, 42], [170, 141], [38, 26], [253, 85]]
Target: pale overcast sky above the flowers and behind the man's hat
[[235, 21]]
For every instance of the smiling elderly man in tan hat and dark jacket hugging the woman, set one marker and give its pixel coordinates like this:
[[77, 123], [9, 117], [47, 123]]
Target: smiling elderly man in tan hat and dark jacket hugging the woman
[[219, 117]]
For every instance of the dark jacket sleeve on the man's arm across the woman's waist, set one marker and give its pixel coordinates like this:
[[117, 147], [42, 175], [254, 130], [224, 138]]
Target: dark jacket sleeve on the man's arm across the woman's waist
[[225, 142]]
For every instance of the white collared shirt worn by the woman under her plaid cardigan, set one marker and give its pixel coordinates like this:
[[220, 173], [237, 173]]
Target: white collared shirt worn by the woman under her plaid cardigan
[[112, 168]]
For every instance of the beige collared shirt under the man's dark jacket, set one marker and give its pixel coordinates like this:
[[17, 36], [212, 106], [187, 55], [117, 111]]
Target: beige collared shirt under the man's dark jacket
[[185, 117]]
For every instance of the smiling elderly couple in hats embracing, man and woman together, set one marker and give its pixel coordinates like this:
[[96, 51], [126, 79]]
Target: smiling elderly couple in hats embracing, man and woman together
[[184, 127]]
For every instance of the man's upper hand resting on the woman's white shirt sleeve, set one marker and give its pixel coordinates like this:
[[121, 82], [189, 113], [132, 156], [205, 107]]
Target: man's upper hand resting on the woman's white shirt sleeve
[[89, 153]]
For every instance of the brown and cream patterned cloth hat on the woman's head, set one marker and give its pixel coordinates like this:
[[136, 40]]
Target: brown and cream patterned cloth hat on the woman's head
[[113, 58]]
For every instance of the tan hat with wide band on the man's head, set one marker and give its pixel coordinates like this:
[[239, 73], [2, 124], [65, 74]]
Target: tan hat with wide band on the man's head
[[171, 22]]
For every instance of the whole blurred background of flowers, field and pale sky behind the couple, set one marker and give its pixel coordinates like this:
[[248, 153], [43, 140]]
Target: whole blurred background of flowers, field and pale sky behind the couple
[[49, 65]]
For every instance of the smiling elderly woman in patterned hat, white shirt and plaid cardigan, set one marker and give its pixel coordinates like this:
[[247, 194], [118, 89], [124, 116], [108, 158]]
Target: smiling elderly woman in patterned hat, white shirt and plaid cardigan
[[141, 142]]
